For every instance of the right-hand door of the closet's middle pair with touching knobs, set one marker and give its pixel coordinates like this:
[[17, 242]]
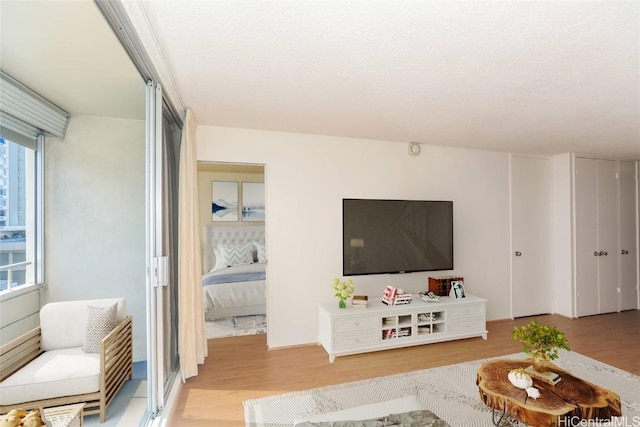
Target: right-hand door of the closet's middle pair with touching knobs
[[608, 236]]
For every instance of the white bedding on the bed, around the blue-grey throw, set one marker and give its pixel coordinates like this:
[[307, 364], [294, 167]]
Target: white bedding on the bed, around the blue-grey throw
[[227, 299]]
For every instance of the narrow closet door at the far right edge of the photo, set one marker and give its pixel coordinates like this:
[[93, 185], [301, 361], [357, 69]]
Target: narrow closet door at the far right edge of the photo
[[628, 235]]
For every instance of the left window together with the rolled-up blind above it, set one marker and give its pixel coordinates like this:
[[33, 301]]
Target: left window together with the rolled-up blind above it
[[25, 119]]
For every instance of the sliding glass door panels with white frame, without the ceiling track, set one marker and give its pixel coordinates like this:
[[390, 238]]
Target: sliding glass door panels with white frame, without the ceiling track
[[162, 148]]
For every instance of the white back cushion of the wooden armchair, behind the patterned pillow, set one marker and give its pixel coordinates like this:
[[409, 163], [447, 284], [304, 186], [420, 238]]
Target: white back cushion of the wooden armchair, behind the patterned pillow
[[64, 324]]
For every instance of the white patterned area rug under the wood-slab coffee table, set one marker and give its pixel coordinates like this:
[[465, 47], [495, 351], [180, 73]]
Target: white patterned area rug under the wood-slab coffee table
[[448, 391]]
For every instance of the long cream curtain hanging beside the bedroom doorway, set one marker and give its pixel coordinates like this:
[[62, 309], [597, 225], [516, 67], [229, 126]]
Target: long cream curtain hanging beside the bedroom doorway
[[192, 346]]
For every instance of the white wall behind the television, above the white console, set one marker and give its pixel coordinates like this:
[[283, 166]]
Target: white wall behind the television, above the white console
[[307, 176]]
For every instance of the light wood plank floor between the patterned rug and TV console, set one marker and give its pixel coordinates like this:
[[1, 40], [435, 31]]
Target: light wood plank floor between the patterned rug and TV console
[[242, 368]]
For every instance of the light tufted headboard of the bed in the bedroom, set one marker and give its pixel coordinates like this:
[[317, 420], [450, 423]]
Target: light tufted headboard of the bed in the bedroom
[[215, 234]]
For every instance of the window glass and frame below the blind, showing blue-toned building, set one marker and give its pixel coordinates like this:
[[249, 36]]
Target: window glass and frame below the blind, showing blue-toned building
[[18, 216]]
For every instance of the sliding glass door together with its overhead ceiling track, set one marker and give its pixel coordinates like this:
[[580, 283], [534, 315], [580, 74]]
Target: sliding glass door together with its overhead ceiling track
[[163, 135]]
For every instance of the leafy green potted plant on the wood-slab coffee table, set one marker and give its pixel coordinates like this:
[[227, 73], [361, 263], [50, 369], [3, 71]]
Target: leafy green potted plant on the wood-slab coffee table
[[542, 342]]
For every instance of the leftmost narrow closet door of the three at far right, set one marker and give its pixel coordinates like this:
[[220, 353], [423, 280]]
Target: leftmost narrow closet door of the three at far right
[[586, 238]]
